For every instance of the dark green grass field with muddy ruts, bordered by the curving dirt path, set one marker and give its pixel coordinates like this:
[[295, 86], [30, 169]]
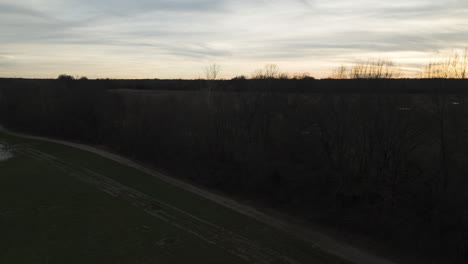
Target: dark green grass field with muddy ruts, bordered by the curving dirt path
[[63, 205]]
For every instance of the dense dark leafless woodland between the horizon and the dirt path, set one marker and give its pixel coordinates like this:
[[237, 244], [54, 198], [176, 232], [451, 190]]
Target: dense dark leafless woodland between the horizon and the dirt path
[[383, 157]]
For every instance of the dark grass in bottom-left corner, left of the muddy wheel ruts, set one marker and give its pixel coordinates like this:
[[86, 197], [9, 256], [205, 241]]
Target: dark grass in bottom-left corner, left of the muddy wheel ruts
[[48, 217]]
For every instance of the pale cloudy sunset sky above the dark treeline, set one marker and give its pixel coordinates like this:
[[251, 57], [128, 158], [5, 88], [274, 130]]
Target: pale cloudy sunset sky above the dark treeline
[[179, 38]]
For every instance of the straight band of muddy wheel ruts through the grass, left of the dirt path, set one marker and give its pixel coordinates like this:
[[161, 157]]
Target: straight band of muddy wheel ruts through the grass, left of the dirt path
[[207, 231]]
